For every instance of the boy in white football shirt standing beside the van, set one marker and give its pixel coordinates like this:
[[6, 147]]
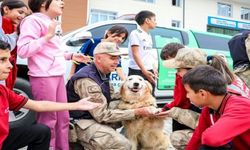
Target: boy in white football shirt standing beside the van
[[141, 47]]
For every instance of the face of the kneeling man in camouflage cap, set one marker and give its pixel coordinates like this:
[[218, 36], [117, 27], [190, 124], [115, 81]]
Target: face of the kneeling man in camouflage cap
[[108, 63]]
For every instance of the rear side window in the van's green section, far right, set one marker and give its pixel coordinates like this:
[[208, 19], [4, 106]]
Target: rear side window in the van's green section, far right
[[207, 41]]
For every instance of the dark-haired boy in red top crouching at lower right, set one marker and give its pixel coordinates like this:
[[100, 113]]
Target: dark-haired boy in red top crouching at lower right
[[226, 115]]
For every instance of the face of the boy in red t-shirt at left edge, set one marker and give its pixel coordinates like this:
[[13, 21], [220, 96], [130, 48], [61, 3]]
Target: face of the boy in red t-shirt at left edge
[[5, 65]]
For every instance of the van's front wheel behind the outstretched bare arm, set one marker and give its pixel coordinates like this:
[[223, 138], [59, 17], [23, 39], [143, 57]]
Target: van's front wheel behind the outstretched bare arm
[[24, 116]]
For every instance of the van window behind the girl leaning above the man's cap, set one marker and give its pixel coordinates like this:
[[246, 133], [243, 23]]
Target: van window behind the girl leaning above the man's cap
[[99, 31]]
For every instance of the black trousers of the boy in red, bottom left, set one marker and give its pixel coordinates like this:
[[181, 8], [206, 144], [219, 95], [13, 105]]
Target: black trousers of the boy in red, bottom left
[[36, 137]]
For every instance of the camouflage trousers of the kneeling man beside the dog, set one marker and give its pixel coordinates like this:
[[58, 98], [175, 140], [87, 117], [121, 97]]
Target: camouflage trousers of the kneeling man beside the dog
[[101, 137]]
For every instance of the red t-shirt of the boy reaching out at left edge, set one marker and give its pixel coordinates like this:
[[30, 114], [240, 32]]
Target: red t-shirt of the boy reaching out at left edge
[[9, 100]]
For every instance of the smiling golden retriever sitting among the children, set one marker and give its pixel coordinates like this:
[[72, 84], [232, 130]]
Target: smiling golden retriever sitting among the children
[[145, 133]]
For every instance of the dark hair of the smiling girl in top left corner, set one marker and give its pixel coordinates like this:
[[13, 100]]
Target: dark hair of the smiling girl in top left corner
[[12, 4]]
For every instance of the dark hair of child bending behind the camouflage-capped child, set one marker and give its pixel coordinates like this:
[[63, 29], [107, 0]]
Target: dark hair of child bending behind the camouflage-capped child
[[170, 50]]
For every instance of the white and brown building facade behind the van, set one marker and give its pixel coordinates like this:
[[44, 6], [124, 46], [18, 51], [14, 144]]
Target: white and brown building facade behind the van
[[220, 16]]
